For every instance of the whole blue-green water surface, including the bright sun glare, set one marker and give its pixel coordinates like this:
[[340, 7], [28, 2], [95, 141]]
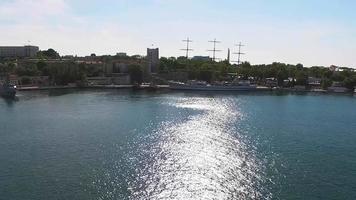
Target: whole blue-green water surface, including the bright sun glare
[[140, 145]]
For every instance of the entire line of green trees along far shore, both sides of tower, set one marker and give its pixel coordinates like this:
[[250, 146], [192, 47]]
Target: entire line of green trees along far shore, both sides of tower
[[69, 71]]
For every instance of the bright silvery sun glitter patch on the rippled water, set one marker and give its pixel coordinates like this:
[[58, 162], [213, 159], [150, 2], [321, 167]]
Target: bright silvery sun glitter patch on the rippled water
[[202, 157]]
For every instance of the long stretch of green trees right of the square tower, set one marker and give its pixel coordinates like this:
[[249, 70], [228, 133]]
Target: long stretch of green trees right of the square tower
[[211, 71]]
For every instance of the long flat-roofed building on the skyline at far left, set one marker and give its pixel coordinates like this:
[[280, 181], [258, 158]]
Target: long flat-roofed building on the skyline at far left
[[18, 51]]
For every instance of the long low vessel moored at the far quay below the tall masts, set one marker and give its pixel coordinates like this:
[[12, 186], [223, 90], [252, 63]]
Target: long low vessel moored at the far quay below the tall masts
[[203, 86]]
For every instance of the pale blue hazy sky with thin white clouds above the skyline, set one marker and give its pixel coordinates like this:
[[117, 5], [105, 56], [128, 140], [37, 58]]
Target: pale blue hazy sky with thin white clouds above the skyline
[[311, 32]]
